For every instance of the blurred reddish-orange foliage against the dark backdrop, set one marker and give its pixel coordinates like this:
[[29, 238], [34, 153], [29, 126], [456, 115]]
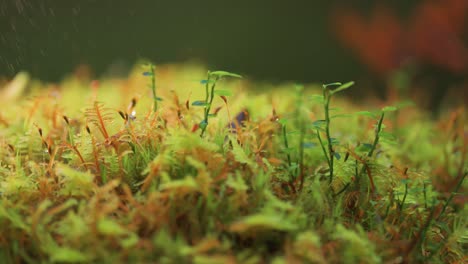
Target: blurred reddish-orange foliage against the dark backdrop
[[433, 34]]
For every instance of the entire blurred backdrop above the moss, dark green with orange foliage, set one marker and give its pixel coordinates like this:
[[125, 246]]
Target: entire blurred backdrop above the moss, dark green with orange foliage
[[378, 43]]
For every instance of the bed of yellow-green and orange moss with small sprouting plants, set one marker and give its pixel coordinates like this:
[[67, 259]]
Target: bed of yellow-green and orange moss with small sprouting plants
[[105, 174]]
